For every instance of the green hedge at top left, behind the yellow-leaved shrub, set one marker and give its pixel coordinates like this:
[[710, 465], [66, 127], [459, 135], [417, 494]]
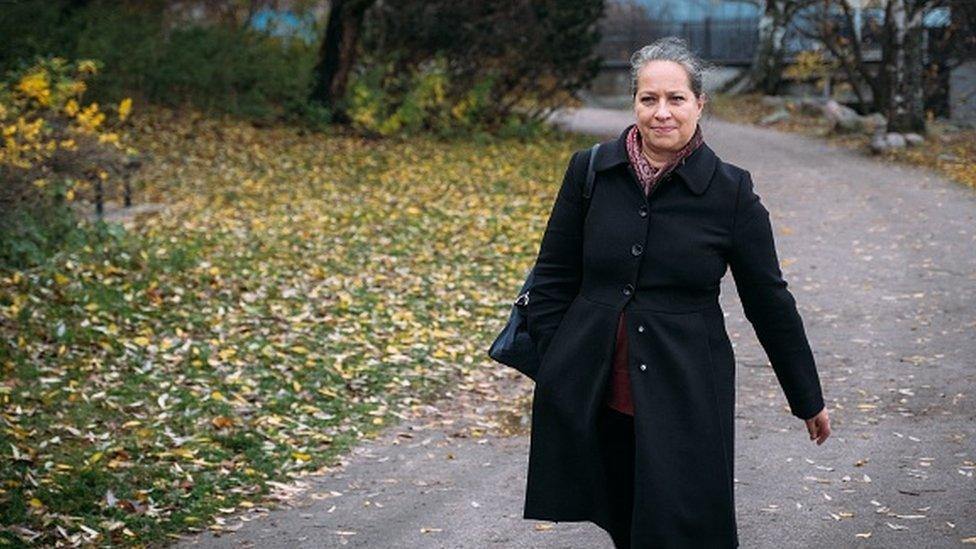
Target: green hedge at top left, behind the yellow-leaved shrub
[[219, 67]]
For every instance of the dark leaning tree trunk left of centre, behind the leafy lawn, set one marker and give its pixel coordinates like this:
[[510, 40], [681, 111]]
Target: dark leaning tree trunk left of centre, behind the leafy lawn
[[337, 54]]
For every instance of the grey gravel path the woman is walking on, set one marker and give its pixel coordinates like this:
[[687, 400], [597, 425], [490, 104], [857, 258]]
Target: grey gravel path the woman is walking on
[[882, 261]]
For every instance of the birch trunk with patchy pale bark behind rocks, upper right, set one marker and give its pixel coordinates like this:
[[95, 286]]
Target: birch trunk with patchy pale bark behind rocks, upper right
[[905, 97]]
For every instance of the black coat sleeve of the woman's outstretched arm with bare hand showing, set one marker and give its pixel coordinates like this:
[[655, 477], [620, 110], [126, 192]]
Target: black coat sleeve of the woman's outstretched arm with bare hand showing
[[768, 304]]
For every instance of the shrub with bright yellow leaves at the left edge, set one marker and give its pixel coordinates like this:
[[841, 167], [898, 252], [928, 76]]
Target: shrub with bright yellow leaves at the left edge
[[52, 144]]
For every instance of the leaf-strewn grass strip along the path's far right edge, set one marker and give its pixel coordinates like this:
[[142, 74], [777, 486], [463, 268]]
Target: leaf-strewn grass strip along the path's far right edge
[[948, 150]]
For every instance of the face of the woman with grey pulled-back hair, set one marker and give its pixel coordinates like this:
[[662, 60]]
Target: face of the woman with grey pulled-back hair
[[667, 110]]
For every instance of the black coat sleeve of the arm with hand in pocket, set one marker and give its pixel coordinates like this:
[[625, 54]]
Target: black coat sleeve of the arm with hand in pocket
[[558, 266]]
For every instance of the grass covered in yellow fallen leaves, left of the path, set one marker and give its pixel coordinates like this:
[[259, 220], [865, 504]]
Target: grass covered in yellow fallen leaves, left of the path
[[300, 291]]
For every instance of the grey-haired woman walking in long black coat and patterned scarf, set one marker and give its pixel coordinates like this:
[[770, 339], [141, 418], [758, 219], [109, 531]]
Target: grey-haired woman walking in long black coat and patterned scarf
[[632, 413]]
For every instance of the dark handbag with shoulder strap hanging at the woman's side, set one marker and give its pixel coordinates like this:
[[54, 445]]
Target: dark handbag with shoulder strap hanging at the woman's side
[[513, 346]]
